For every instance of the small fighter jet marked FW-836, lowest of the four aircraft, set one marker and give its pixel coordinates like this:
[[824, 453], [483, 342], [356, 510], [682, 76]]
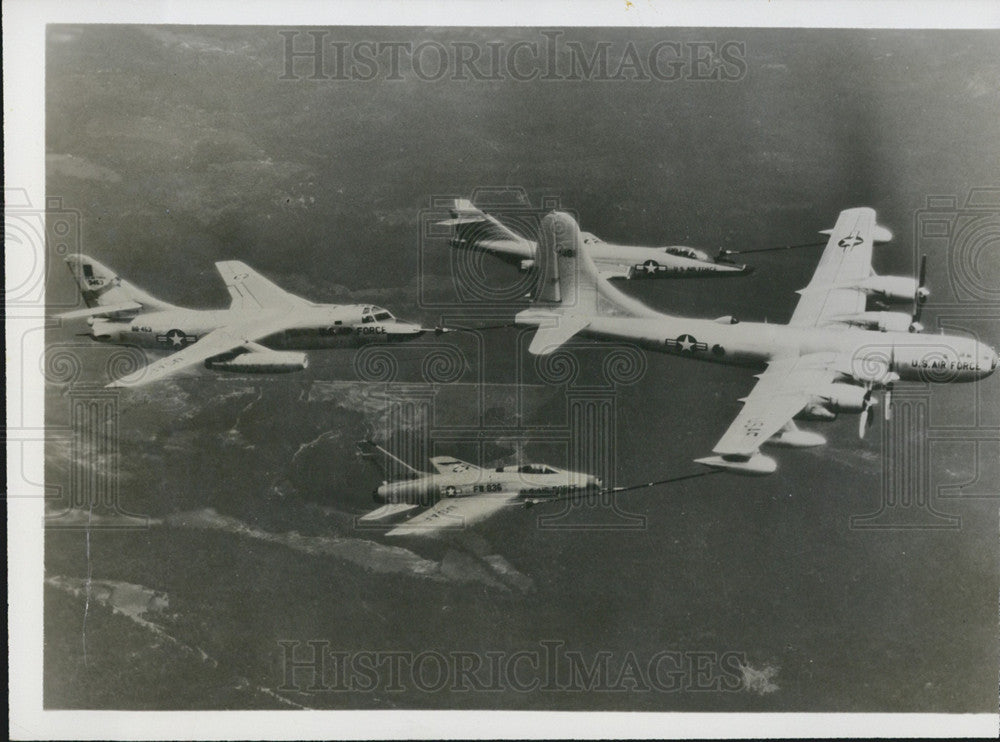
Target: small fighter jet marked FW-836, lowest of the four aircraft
[[458, 494]]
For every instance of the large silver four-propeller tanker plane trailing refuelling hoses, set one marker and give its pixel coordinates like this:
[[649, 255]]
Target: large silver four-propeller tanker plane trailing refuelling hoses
[[828, 359]]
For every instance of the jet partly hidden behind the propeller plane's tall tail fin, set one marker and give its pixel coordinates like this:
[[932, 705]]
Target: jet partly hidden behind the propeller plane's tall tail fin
[[475, 230]]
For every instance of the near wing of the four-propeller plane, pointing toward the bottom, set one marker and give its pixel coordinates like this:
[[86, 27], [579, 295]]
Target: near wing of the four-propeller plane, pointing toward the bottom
[[785, 387]]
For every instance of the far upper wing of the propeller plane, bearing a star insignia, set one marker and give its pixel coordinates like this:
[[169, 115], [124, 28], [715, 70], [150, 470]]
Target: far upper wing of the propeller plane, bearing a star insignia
[[846, 260]]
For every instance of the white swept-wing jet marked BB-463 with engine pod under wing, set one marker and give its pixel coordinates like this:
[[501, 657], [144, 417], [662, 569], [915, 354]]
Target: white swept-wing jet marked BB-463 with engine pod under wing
[[258, 333]]
